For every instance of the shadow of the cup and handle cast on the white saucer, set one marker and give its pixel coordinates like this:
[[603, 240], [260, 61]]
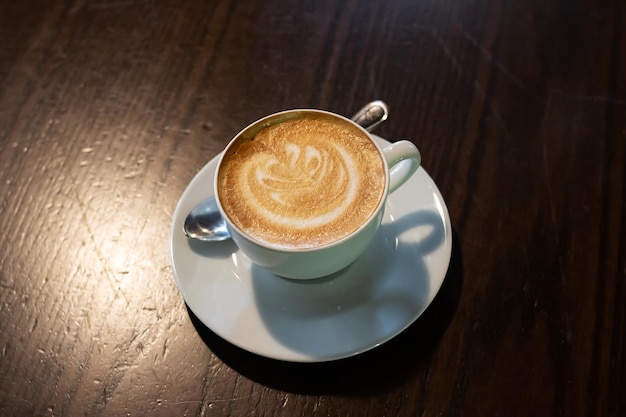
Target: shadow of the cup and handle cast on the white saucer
[[371, 300]]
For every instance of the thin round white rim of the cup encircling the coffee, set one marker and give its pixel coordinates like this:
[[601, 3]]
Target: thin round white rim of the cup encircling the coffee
[[278, 117]]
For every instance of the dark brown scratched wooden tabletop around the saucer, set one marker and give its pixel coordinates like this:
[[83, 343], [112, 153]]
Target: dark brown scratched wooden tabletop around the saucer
[[108, 109]]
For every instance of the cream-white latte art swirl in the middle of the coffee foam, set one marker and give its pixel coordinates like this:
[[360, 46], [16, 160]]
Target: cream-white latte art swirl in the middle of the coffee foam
[[300, 186]]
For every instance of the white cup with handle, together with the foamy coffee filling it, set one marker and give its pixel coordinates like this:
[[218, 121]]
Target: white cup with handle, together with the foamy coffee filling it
[[303, 191]]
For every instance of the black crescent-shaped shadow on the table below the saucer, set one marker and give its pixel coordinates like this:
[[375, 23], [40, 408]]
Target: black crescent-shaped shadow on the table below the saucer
[[376, 370]]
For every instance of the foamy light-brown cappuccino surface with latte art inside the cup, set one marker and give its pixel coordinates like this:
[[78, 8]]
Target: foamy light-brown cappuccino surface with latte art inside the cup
[[303, 182]]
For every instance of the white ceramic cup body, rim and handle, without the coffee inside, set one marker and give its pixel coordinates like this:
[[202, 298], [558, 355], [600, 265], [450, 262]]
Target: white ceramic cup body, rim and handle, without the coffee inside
[[401, 160]]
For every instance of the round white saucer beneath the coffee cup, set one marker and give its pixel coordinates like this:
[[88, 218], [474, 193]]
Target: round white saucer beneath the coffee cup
[[359, 308]]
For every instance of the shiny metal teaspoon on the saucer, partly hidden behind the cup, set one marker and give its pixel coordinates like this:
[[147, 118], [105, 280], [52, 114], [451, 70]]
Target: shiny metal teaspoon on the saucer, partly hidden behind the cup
[[204, 222]]
